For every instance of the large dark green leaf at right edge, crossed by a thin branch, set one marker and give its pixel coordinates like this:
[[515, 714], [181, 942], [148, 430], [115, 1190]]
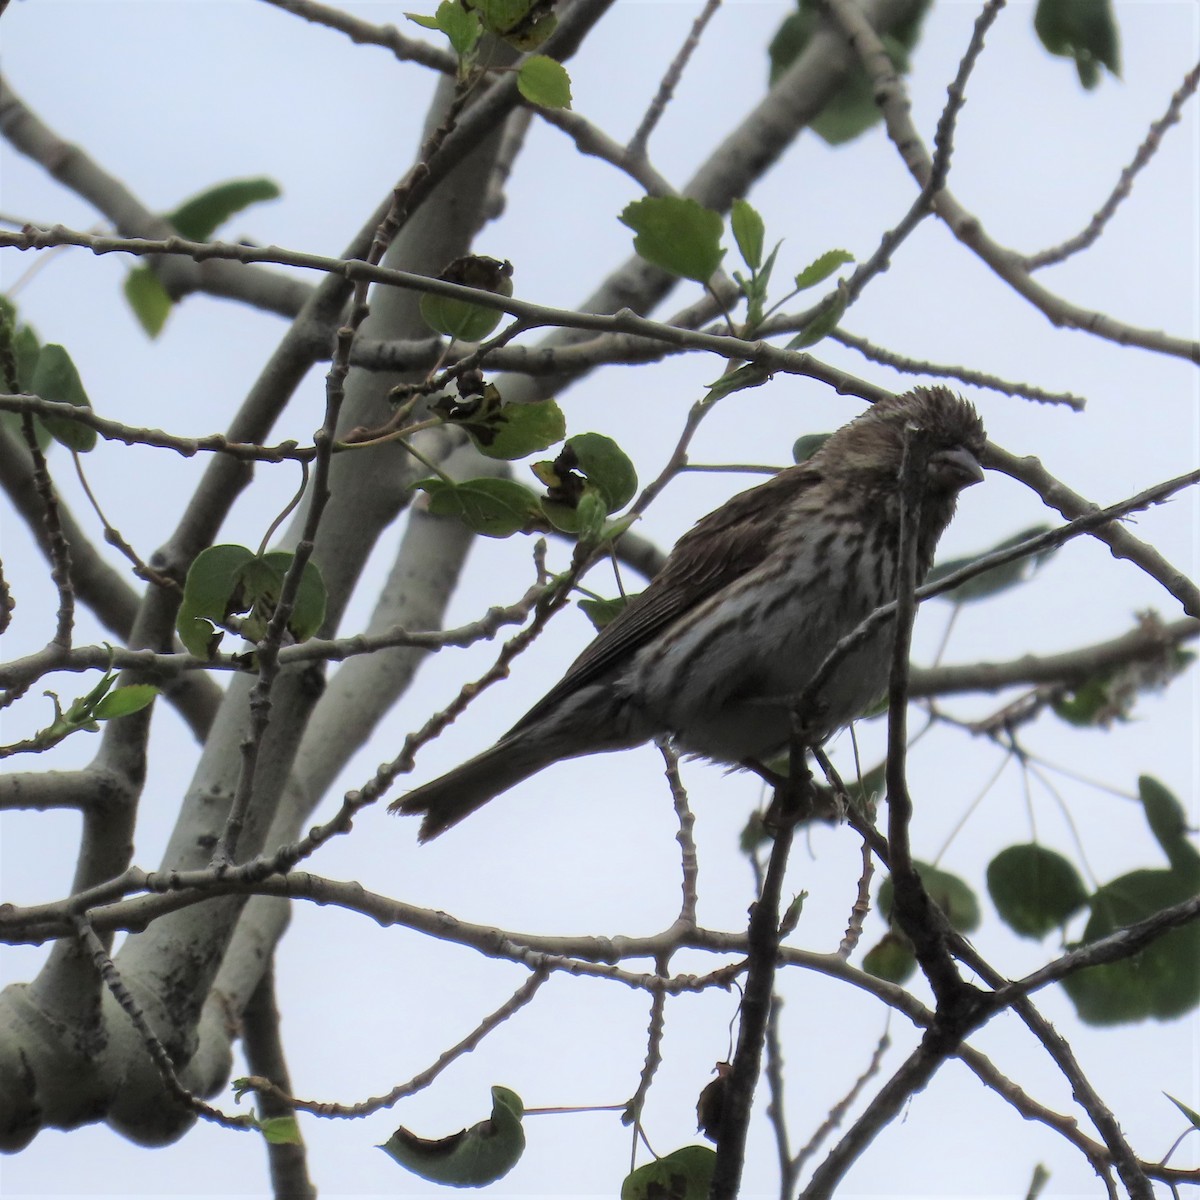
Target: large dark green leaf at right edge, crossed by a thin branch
[[1162, 981]]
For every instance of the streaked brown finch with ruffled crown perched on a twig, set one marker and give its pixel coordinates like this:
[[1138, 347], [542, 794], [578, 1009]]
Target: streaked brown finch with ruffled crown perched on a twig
[[718, 649]]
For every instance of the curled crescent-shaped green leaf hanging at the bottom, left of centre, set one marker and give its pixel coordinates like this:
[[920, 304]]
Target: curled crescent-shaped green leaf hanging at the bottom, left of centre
[[473, 1157]]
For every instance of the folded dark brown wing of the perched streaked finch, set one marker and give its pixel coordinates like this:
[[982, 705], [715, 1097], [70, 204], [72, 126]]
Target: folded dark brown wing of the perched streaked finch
[[715, 554]]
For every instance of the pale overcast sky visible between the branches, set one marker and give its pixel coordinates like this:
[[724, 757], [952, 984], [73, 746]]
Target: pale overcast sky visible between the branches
[[175, 97]]
